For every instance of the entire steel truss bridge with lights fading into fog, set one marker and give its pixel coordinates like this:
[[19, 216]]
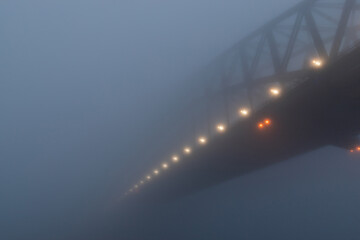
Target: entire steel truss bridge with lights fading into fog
[[290, 87]]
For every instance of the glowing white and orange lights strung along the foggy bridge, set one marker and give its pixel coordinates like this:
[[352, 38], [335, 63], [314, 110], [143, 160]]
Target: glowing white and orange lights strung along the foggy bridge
[[221, 128]]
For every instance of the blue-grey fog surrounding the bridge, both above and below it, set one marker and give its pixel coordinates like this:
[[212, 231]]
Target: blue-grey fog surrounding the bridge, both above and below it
[[85, 88]]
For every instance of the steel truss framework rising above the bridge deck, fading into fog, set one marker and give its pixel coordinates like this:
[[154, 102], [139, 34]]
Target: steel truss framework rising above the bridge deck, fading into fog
[[280, 52]]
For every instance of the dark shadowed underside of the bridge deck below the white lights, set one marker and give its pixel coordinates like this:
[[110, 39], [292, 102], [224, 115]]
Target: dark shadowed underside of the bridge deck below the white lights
[[323, 110]]
